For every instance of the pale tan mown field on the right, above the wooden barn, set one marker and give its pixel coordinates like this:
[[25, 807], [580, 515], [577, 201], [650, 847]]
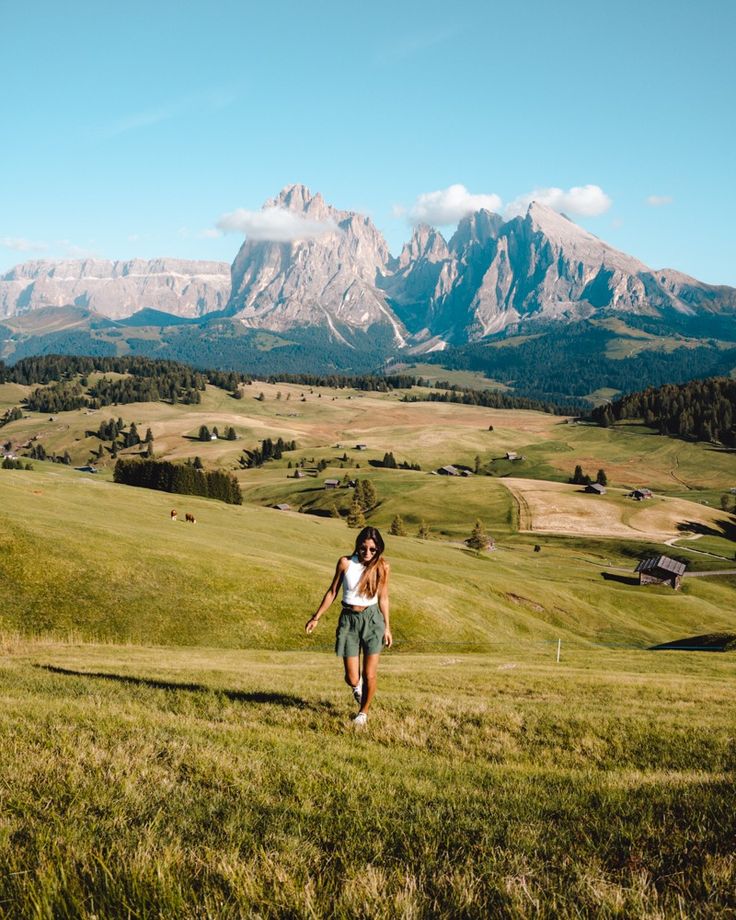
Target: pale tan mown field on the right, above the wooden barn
[[562, 508]]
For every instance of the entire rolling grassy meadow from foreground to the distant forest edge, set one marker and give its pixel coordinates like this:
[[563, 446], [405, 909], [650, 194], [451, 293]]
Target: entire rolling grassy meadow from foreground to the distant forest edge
[[173, 744]]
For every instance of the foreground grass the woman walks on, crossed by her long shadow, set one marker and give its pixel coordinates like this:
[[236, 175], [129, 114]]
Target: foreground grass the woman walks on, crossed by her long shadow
[[203, 783]]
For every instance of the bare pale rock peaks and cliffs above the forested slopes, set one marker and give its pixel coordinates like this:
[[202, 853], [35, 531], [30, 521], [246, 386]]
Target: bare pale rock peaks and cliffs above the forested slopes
[[492, 275]]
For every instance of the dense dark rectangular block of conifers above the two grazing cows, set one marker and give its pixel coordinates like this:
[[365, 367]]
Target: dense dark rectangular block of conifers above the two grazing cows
[[182, 478]]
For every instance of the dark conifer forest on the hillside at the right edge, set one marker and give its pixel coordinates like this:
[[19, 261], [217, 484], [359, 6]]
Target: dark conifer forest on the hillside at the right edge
[[700, 410]]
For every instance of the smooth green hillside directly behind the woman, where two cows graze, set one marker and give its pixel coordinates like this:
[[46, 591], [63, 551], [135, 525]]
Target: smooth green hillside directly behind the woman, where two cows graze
[[86, 557]]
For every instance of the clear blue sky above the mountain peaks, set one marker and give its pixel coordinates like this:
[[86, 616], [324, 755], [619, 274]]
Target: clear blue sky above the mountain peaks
[[129, 129]]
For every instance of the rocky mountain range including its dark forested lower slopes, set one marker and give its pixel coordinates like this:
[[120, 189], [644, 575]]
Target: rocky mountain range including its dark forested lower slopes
[[326, 294]]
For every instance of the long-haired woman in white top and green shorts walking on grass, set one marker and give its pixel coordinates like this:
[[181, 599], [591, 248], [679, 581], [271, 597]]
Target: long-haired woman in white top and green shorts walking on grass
[[364, 620]]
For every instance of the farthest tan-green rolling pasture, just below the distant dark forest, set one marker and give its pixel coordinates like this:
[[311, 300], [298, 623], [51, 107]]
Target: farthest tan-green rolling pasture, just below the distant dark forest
[[428, 434]]
